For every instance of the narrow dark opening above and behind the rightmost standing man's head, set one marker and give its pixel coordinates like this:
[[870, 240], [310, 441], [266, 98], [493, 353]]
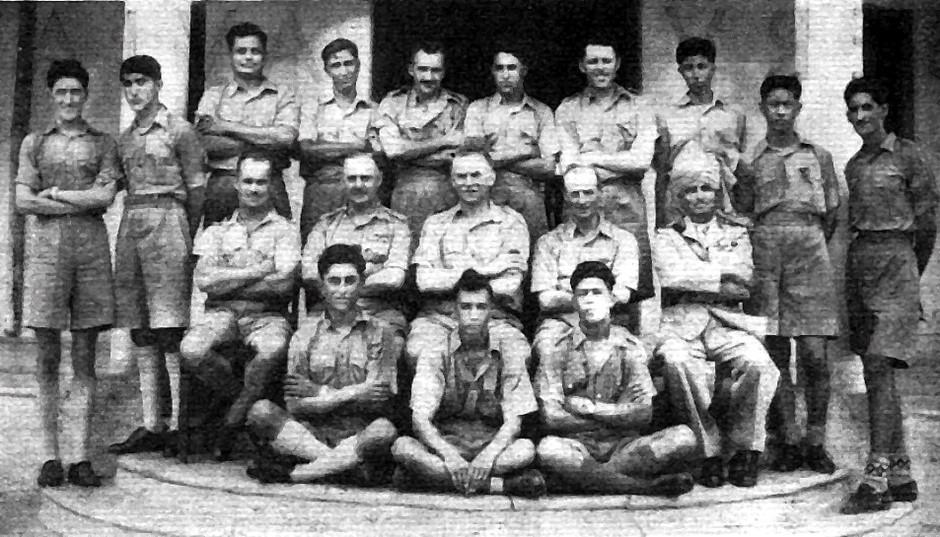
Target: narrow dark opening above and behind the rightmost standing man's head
[[888, 54]]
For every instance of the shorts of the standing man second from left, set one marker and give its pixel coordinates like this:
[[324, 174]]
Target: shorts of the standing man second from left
[[152, 274]]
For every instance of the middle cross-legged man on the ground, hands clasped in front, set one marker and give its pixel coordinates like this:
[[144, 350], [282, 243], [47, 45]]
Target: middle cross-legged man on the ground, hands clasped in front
[[468, 398]]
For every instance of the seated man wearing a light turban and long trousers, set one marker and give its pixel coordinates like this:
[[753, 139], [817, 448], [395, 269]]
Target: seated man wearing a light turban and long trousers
[[704, 265]]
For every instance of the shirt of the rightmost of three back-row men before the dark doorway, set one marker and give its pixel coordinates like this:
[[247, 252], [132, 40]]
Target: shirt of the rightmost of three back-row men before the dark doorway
[[585, 124]]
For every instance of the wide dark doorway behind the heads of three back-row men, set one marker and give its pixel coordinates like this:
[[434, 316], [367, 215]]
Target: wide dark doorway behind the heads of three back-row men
[[551, 32]]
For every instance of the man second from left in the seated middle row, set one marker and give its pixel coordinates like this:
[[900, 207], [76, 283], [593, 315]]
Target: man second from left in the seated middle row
[[381, 233]]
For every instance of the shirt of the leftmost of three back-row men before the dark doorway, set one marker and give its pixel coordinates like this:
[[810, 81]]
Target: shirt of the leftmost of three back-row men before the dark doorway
[[400, 117]]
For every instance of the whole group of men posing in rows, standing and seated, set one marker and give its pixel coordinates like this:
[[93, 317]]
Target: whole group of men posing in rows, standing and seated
[[466, 242]]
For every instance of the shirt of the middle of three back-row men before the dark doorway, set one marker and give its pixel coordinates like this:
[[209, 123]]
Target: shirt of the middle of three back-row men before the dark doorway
[[526, 125]]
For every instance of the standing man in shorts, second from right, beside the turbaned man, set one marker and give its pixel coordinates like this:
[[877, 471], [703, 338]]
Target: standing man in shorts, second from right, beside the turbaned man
[[795, 206]]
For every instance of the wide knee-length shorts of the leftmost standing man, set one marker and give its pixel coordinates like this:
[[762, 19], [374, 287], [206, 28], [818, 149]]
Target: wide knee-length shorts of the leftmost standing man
[[67, 281]]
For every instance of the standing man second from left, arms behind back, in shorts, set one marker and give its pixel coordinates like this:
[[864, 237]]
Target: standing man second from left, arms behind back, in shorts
[[163, 164]]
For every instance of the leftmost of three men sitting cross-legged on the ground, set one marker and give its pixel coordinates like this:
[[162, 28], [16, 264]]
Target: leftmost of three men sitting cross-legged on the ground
[[341, 376]]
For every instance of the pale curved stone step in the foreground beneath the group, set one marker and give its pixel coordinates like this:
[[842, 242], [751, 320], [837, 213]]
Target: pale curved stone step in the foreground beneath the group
[[153, 496]]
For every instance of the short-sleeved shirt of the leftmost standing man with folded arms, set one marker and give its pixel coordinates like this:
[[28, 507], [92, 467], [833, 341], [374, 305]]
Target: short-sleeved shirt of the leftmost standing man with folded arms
[[70, 162]]
